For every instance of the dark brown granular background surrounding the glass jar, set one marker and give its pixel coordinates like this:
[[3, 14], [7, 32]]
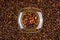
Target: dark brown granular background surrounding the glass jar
[[10, 30]]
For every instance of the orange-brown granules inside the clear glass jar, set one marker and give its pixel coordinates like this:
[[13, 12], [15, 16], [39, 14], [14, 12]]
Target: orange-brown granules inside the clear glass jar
[[30, 20]]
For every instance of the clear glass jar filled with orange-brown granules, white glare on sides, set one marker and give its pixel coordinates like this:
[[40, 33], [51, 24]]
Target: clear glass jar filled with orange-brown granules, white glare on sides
[[30, 20]]
